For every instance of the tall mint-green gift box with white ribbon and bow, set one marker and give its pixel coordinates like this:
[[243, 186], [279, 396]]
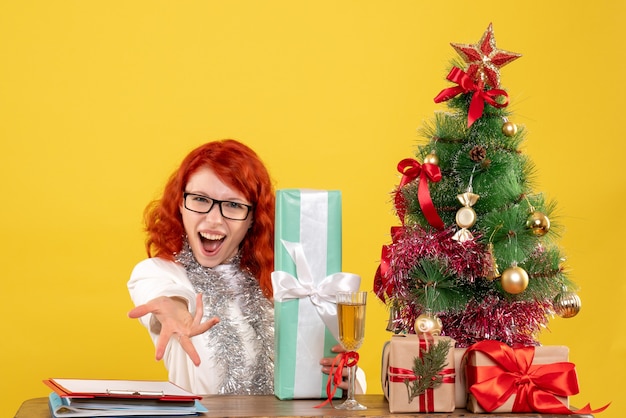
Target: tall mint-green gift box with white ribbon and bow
[[306, 279]]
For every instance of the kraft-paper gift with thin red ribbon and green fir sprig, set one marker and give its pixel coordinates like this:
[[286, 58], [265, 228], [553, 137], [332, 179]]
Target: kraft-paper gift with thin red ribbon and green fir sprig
[[426, 388]]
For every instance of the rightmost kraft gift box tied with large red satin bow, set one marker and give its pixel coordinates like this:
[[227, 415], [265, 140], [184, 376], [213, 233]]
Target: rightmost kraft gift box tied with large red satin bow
[[500, 378]]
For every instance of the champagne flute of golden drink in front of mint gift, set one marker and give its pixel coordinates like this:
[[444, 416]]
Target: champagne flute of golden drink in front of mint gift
[[351, 317]]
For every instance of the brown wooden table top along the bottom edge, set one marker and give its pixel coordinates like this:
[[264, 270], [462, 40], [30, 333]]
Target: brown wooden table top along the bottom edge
[[270, 406]]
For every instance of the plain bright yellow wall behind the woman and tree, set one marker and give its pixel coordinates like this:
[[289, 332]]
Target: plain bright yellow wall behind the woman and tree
[[100, 100]]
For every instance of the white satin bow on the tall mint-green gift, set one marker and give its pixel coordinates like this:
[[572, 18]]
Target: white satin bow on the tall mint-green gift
[[323, 296]]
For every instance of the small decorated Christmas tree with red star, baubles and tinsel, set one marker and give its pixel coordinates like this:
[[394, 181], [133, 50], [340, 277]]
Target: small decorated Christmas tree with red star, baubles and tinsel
[[475, 256]]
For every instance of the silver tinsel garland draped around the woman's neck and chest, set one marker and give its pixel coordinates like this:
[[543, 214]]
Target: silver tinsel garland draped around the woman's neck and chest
[[222, 286]]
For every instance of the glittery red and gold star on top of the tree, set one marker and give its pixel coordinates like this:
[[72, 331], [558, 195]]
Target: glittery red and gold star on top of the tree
[[484, 59]]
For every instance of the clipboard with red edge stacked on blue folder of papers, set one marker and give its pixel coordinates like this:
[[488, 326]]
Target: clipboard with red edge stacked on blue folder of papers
[[120, 398]]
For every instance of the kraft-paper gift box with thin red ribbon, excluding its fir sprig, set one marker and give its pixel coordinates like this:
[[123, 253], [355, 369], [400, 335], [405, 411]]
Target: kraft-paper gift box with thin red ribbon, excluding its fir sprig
[[397, 365]]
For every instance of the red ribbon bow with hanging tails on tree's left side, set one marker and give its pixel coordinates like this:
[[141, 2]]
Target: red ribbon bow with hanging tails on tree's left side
[[410, 170]]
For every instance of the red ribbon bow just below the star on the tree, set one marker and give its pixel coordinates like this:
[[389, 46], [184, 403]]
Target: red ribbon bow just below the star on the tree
[[465, 84]]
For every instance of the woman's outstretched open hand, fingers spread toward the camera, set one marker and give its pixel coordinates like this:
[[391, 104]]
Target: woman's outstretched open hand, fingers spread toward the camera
[[176, 322]]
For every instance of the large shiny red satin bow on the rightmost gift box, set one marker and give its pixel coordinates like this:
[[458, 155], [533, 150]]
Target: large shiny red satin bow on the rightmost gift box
[[535, 386]]
